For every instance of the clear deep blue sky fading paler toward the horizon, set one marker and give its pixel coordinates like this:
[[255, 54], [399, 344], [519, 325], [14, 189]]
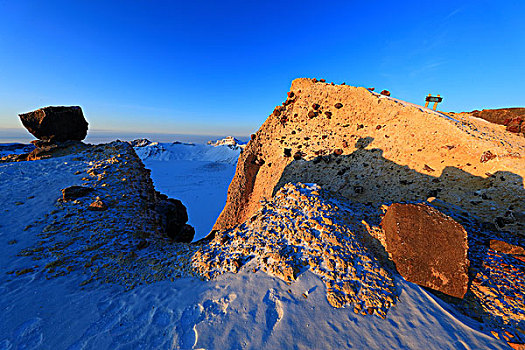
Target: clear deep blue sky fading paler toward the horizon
[[220, 67]]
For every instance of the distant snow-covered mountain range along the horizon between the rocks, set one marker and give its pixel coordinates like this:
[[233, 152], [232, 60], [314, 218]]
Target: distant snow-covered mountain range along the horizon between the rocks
[[222, 153]]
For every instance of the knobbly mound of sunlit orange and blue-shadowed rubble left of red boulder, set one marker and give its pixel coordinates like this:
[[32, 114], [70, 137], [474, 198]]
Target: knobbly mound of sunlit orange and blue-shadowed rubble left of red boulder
[[299, 230]]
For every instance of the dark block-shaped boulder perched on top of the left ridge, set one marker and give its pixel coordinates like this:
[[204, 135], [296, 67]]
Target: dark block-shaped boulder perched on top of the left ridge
[[56, 123]]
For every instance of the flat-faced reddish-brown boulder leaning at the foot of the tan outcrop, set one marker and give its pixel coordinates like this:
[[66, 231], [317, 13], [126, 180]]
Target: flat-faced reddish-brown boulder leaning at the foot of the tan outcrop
[[428, 247]]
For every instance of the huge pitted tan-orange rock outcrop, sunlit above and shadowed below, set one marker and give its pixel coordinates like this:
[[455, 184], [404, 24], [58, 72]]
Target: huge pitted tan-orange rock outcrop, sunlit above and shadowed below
[[372, 148]]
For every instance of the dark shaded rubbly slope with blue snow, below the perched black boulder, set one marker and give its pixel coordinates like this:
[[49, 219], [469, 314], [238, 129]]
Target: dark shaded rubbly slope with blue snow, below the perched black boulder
[[124, 239]]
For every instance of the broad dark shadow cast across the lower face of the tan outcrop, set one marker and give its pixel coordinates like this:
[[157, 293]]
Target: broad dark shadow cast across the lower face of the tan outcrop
[[365, 176]]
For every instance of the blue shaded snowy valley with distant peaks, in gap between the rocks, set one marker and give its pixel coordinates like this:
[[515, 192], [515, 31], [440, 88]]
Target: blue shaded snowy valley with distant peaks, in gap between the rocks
[[197, 174]]
